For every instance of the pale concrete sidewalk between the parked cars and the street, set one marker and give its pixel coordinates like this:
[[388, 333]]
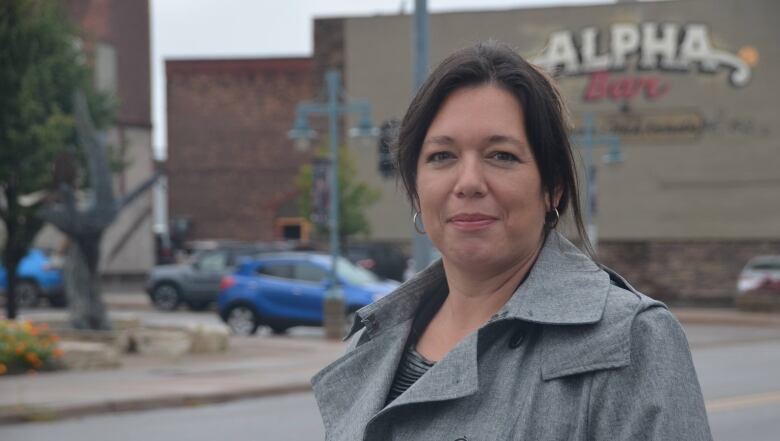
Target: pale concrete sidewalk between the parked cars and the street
[[252, 367]]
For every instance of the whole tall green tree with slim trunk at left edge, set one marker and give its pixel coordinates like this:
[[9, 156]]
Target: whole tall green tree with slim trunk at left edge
[[40, 67]]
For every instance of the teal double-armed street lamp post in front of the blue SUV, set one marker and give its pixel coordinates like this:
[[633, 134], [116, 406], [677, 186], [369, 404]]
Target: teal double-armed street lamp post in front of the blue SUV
[[334, 308]]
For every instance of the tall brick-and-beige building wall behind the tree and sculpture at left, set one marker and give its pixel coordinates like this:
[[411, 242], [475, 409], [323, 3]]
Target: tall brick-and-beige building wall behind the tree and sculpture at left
[[115, 39]]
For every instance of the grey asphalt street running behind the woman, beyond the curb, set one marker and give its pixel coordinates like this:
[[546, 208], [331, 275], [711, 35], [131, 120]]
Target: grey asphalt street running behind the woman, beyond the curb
[[737, 368]]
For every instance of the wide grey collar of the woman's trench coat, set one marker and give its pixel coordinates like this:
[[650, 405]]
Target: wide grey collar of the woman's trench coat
[[564, 287]]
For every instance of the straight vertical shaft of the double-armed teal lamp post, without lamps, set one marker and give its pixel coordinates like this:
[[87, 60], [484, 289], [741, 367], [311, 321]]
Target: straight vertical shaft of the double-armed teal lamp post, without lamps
[[334, 86]]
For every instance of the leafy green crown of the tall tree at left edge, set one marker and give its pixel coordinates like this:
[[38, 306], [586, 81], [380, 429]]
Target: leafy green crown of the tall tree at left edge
[[41, 66]]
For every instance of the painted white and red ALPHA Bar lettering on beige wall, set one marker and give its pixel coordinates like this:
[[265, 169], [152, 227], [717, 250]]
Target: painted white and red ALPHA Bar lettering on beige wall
[[658, 46]]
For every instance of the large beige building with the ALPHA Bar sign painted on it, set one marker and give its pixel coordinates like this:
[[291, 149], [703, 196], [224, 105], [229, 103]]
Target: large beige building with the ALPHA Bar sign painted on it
[[687, 86]]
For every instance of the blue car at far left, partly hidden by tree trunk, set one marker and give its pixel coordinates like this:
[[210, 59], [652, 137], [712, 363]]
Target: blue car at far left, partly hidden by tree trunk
[[39, 276]]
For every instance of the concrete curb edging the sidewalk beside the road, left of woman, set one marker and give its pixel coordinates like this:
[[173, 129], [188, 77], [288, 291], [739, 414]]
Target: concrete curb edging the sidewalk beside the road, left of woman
[[35, 414]]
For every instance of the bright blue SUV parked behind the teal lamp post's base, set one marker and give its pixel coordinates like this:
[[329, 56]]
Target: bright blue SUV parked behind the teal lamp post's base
[[283, 290]]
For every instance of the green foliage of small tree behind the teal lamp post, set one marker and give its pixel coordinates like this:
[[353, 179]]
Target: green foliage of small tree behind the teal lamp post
[[354, 196]]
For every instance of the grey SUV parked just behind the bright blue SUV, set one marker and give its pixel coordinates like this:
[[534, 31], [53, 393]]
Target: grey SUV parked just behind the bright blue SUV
[[196, 281]]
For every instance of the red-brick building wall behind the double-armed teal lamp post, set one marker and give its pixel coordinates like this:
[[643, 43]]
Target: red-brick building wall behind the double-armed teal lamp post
[[230, 165]]
